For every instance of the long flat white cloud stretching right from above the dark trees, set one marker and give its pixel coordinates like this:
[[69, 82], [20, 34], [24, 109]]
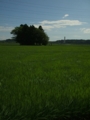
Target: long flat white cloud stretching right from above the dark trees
[[48, 25]]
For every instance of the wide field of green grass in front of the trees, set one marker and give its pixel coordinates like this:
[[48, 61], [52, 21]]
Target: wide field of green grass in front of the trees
[[45, 82]]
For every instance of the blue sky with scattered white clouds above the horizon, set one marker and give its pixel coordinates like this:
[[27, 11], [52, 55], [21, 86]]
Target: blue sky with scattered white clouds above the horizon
[[59, 18]]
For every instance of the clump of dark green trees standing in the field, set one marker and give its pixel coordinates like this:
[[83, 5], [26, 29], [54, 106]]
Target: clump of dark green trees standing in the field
[[30, 35]]
